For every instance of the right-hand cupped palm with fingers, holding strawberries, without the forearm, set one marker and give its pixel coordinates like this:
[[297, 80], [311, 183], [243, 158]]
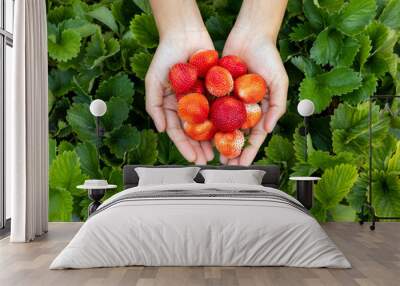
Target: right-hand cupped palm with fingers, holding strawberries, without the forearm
[[262, 57]]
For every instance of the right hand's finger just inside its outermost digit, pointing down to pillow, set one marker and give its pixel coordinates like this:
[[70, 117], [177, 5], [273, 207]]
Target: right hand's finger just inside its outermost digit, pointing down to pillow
[[256, 139]]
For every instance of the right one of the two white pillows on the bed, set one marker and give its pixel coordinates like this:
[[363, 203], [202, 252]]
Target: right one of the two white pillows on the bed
[[248, 177]]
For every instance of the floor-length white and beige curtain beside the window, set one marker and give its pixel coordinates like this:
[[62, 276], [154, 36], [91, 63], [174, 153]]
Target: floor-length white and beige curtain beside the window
[[27, 124]]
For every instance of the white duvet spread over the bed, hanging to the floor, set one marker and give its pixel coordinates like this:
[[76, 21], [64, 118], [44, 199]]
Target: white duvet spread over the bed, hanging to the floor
[[200, 231]]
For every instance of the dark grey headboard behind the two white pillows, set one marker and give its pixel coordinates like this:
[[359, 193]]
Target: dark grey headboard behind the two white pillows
[[271, 177]]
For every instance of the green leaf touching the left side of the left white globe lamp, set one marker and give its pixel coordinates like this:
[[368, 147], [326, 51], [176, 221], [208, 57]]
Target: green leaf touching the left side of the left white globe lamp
[[82, 122]]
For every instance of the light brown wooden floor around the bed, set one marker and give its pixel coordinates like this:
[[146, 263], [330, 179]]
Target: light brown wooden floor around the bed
[[375, 257]]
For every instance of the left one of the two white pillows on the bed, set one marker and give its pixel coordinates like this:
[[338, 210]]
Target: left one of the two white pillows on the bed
[[164, 176]]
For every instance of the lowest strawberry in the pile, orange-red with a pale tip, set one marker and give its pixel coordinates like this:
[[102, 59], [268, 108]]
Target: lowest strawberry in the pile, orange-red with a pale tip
[[229, 144]]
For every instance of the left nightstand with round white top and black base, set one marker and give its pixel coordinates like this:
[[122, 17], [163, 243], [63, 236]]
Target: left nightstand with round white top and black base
[[96, 190]]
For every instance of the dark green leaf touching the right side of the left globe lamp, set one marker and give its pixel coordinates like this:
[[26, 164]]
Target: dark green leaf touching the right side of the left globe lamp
[[117, 113]]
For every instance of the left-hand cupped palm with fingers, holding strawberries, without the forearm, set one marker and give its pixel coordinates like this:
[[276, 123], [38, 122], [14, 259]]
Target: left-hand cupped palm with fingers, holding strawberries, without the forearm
[[161, 102]]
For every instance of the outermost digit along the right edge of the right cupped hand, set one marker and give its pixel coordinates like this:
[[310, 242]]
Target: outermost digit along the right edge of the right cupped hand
[[277, 103]]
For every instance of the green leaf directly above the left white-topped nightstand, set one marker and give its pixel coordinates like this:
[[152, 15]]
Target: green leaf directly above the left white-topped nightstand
[[88, 158]]
